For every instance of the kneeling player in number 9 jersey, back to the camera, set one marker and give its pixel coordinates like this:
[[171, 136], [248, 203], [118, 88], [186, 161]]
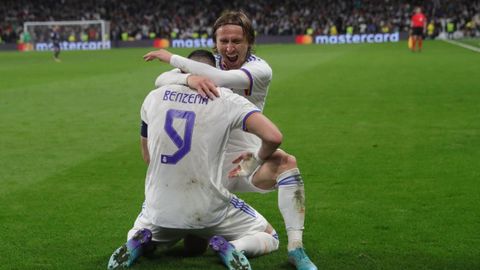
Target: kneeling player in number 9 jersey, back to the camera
[[186, 136]]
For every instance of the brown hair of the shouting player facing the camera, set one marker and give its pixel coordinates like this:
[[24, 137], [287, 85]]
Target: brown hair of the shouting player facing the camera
[[235, 18]]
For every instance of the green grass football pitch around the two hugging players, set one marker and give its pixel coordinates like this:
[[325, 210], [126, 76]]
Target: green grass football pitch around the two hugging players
[[388, 142]]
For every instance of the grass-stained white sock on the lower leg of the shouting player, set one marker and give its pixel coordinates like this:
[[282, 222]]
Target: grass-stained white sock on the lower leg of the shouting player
[[291, 202]]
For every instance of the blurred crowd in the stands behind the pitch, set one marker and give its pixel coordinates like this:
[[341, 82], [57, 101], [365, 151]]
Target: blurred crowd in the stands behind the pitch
[[142, 19]]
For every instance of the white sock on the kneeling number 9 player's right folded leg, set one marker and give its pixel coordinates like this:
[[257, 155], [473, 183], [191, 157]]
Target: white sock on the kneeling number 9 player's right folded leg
[[257, 244]]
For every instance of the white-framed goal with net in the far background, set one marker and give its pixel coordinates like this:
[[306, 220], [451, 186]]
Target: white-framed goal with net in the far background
[[74, 35]]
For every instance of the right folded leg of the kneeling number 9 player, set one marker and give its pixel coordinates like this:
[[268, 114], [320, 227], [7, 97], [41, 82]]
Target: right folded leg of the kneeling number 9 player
[[244, 232]]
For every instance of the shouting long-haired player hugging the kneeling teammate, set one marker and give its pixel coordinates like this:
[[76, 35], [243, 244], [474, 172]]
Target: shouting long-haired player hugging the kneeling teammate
[[250, 76]]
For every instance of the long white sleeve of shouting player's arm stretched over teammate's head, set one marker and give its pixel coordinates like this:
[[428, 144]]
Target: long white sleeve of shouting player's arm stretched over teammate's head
[[236, 79]]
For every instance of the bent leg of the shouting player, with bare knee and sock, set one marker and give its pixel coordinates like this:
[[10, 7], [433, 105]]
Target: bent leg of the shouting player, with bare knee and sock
[[281, 170]]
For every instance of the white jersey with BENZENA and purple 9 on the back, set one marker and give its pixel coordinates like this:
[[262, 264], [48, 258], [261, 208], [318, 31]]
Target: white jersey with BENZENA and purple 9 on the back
[[187, 138]]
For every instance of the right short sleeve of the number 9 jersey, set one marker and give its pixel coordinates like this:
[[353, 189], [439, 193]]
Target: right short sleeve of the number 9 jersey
[[239, 109]]
